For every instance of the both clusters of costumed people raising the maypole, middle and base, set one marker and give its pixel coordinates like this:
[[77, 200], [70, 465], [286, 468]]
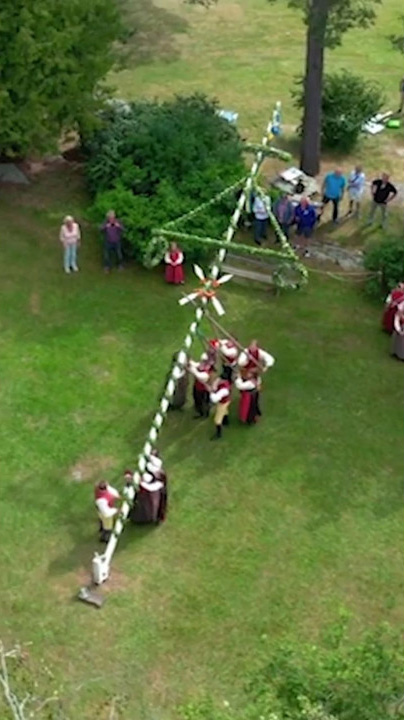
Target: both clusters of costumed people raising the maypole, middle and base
[[223, 365]]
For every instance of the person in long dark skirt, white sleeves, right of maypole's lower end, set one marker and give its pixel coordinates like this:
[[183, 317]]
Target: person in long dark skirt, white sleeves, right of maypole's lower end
[[150, 505]]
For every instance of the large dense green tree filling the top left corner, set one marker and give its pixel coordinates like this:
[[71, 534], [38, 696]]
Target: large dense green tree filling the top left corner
[[54, 56]]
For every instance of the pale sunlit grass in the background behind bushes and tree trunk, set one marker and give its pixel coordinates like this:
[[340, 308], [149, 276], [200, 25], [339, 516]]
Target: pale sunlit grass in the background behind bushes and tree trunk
[[248, 55]]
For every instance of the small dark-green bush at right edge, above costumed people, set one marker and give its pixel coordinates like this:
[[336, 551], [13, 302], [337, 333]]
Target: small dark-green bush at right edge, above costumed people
[[386, 257]]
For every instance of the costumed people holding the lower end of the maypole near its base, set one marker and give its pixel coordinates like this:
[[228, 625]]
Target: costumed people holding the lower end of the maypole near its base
[[150, 505]]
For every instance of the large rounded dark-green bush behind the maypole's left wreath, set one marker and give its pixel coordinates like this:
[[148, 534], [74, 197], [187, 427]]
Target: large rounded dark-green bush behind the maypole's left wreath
[[155, 161]]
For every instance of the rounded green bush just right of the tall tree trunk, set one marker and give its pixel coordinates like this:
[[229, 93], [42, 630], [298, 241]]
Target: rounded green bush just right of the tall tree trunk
[[348, 101]]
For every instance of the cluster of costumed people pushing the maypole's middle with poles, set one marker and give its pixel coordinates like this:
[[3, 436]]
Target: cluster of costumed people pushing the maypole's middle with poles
[[223, 365]]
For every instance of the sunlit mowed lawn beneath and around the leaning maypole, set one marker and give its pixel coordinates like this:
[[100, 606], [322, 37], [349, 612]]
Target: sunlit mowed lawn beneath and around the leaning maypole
[[270, 532]]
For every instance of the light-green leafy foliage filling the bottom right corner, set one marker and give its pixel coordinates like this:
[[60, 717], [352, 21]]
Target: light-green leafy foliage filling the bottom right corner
[[334, 680]]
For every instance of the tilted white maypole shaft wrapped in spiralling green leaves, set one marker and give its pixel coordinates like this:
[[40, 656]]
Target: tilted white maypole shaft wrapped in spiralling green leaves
[[102, 562]]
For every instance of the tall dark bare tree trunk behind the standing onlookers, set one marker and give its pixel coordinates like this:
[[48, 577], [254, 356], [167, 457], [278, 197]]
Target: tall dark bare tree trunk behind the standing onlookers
[[313, 86]]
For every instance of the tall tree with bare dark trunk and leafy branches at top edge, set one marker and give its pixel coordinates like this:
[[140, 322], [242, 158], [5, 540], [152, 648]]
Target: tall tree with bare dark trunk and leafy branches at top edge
[[327, 21]]
